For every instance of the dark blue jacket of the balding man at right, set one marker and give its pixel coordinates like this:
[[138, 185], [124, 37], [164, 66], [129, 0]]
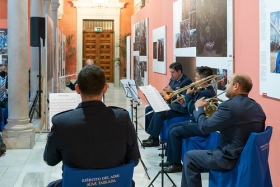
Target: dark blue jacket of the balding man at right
[[236, 119]]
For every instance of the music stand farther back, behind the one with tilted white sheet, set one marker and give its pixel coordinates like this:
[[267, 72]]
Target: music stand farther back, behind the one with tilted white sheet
[[130, 93]]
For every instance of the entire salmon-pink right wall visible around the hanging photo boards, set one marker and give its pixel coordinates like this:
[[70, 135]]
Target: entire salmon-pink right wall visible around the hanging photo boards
[[246, 59]]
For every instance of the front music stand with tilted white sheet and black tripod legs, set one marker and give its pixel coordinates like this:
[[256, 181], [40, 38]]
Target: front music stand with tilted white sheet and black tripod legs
[[159, 105]]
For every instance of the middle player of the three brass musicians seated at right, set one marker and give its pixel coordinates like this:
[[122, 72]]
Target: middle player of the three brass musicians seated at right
[[180, 131]]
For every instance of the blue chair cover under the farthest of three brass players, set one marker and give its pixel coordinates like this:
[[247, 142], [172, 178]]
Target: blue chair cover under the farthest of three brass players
[[168, 122]]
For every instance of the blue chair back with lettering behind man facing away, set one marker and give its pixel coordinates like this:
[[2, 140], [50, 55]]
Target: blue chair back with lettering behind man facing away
[[120, 176]]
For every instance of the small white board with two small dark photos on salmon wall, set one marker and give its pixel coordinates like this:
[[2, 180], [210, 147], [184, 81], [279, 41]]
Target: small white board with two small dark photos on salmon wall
[[159, 50]]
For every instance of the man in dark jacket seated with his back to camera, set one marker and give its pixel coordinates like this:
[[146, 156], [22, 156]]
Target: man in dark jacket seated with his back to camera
[[104, 137]]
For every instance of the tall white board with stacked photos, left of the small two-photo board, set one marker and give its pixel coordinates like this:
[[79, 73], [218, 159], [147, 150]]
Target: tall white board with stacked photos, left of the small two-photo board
[[139, 41]]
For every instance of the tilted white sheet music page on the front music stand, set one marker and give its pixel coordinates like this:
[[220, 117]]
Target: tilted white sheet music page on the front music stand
[[155, 99]]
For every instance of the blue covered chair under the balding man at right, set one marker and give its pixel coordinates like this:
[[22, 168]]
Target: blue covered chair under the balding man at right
[[252, 168]]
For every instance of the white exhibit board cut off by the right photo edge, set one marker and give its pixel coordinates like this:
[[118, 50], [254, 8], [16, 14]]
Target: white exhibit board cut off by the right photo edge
[[269, 48]]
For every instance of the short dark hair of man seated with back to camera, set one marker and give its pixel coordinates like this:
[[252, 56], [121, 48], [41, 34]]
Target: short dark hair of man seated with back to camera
[[91, 80]]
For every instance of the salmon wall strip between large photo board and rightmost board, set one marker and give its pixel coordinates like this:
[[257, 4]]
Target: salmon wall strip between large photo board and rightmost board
[[247, 44]]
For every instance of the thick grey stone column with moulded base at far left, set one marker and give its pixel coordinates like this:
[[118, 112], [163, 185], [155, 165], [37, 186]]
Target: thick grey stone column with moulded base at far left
[[18, 133]]
